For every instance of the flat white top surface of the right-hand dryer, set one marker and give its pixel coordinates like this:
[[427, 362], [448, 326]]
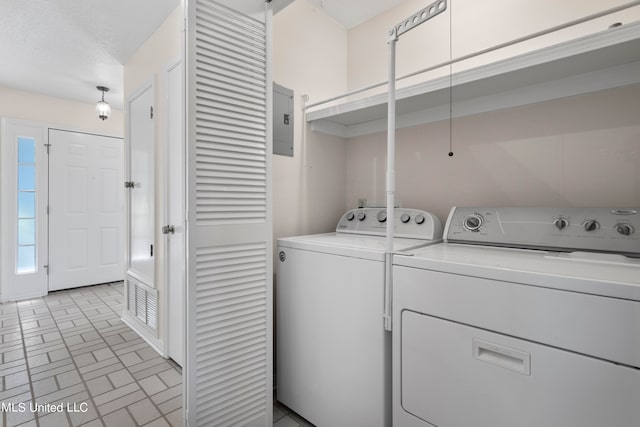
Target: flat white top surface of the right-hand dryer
[[599, 274]]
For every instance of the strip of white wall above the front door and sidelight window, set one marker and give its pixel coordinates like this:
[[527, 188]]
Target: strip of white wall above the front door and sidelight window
[[61, 113]]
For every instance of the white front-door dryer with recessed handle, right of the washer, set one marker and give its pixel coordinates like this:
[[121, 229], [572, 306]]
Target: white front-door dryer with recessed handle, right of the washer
[[523, 317]]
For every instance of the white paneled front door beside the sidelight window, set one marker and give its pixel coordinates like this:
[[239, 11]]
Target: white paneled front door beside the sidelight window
[[86, 209]]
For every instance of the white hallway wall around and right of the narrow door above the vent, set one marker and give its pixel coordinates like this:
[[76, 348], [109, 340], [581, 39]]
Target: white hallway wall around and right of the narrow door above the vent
[[149, 62]]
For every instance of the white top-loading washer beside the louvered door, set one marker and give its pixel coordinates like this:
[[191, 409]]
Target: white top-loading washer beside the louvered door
[[333, 355]]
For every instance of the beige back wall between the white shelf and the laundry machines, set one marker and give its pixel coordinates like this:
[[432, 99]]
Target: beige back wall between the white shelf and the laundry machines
[[578, 151]]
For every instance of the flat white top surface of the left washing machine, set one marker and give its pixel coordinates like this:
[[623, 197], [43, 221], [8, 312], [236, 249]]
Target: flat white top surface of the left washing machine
[[354, 245]]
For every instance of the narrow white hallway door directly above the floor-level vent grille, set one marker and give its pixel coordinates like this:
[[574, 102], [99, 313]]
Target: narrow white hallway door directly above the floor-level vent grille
[[141, 194]]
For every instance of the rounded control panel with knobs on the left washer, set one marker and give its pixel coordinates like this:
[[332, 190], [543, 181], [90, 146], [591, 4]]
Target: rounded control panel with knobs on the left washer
[[408, 223]]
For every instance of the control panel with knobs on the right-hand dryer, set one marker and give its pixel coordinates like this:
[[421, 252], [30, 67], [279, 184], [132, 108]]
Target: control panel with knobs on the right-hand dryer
[[612, 230]]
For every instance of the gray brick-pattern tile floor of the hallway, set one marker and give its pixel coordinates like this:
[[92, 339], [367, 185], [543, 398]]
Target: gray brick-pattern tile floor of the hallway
[[71, 348]]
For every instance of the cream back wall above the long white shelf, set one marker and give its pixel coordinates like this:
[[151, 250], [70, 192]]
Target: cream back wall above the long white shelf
[[475, 25]]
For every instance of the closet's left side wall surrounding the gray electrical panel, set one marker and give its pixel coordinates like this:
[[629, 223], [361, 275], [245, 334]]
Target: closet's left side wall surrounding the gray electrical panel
[[310, 57]]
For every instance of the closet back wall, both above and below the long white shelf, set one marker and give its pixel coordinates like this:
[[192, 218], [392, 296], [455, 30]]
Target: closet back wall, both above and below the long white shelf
[[577, 151]]
